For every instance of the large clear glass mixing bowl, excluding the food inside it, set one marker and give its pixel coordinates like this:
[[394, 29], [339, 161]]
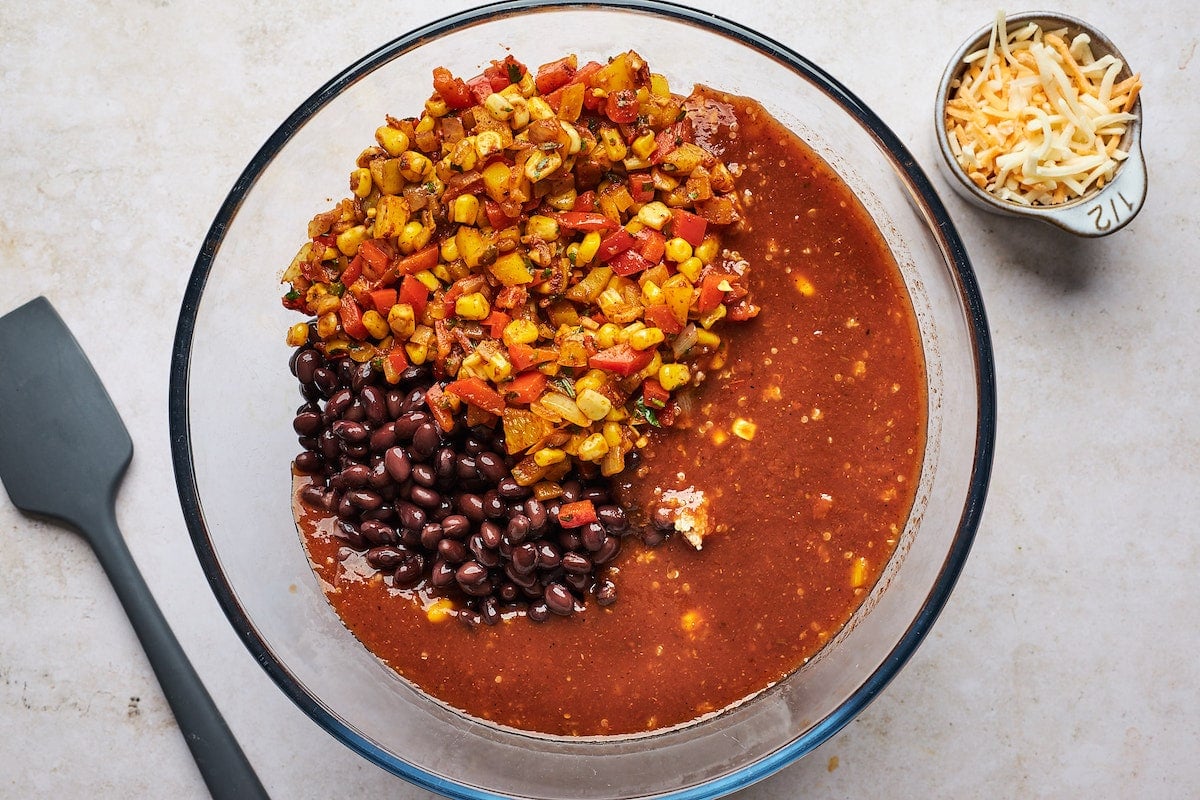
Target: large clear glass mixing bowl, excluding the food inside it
[[232, 399]]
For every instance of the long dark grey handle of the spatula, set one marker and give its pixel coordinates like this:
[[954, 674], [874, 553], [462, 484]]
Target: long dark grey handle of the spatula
[[225, 768]]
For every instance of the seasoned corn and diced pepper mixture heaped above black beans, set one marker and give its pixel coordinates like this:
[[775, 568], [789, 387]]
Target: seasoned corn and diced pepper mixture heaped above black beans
[[551, 243]]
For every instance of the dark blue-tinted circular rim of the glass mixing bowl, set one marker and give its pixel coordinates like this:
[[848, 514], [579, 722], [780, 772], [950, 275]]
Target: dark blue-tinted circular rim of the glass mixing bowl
[[922, 193]]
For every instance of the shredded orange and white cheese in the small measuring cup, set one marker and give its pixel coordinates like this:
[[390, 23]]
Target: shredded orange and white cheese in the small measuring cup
[[1037, 121]]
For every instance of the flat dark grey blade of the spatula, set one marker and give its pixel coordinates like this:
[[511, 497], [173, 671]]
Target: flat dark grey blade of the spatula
[[63, 446]]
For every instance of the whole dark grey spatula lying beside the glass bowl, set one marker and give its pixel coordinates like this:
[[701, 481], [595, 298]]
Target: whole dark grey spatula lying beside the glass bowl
[[63, 454]]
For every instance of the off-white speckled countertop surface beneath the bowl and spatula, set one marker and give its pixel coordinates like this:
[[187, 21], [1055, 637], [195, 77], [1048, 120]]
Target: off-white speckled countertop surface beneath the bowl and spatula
[[1067, 663]]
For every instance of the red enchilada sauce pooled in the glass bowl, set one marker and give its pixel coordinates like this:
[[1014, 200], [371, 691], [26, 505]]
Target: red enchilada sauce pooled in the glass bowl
[[803, 452]]
